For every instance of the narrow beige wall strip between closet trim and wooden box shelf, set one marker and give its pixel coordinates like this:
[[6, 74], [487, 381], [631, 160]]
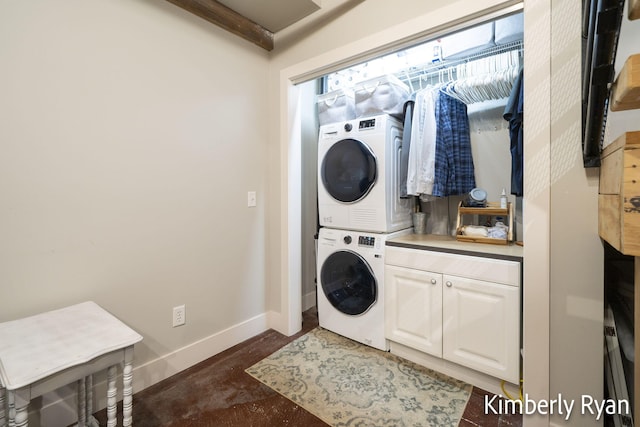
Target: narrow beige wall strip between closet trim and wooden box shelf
[[575, 250]]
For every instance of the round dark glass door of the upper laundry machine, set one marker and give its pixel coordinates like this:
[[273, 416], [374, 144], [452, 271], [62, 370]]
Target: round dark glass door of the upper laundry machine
[[349, 170]]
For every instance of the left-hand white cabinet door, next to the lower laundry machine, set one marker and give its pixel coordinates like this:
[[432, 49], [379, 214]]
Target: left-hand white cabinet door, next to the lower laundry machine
[[413, 302]]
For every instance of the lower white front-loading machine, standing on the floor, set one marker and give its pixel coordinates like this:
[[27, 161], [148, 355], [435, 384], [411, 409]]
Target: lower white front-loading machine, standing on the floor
[[351, 284]]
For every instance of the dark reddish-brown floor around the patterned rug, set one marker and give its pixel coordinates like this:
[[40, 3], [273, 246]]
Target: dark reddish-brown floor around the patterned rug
[[217, 392]]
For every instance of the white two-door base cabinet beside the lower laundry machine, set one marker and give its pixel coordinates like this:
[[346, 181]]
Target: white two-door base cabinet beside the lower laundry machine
[[462, 308]]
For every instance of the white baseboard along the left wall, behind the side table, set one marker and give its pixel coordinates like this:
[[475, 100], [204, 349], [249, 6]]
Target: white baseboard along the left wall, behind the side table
[[59, 408]]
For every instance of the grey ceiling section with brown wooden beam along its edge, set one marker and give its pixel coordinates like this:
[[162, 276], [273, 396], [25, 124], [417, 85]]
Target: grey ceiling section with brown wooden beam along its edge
[[256, 21]]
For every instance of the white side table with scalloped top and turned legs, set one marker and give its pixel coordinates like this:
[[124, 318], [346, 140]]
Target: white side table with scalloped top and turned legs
[[42, 353]]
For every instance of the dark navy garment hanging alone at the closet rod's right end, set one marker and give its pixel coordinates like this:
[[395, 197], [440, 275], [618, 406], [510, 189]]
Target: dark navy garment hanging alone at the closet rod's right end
[[513, 114]]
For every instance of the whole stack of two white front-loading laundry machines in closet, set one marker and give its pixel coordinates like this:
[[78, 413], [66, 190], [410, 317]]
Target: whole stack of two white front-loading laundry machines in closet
[[359, 209]]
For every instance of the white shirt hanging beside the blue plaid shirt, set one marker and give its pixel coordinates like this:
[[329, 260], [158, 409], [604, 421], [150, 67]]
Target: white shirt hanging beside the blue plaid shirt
[[421, 161]]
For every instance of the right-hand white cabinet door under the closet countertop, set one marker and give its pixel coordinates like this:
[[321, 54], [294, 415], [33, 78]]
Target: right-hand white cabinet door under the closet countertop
[[481, 324]]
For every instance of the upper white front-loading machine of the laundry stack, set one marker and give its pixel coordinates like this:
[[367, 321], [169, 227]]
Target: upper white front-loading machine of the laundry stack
[[359, 176]]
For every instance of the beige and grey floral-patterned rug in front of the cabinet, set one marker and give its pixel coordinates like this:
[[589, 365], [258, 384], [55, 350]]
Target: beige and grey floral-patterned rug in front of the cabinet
[[345, 383]]
